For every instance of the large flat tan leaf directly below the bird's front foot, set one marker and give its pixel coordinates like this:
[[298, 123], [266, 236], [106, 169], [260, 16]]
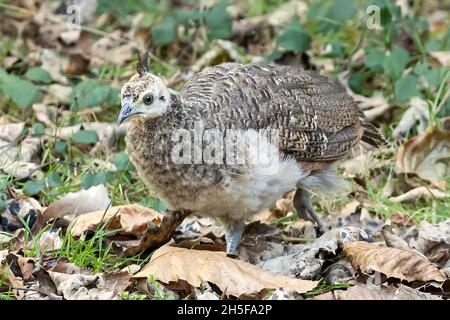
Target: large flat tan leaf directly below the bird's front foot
[[231, 276]]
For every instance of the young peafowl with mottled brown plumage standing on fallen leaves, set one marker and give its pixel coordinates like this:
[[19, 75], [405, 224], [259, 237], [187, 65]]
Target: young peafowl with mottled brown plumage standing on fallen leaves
[[317, 121]]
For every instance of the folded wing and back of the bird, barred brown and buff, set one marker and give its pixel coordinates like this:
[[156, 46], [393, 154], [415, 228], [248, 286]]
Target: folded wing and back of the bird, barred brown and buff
[[317, 120]]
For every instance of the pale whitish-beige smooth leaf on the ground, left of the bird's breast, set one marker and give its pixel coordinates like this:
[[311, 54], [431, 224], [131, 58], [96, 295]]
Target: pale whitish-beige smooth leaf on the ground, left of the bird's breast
[[77, 203]]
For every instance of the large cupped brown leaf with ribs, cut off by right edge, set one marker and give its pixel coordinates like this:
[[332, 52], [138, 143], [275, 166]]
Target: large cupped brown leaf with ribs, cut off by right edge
[[426, 155]]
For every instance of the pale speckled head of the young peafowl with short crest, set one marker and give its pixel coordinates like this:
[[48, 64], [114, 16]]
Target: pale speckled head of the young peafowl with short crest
[[144, 95]]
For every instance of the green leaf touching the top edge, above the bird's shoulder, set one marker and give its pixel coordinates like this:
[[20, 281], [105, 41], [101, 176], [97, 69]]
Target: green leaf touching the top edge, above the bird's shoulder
[[218, 22]]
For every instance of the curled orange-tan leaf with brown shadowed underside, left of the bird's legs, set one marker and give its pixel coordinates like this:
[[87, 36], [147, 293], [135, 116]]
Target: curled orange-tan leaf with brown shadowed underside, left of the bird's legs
[[130, 219]]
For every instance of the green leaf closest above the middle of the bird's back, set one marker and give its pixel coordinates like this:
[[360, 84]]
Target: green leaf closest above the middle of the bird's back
[[294, 39]]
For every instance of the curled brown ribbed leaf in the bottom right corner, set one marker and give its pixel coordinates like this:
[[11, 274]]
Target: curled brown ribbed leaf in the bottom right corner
[[393, 262]]
